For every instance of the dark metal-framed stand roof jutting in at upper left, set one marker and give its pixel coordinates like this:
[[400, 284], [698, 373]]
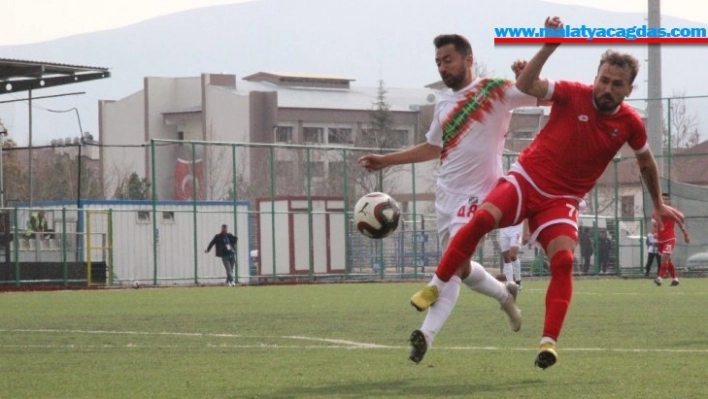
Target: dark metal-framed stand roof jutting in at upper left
[[23, 75]]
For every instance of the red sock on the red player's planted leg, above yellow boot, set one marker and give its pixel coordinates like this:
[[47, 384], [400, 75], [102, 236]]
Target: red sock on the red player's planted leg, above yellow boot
[[559, 293]]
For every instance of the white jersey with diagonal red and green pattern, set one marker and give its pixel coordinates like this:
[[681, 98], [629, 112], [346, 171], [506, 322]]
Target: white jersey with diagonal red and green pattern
[[470, 125]]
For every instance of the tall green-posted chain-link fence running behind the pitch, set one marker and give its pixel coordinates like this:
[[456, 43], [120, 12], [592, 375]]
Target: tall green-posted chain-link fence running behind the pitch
[[149, 211]]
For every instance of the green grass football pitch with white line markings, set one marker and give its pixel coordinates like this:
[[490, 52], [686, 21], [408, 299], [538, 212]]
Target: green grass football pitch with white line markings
[[622, 339]]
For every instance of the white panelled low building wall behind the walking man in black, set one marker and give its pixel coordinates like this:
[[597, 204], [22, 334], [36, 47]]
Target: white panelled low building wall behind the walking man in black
[[133, 243]]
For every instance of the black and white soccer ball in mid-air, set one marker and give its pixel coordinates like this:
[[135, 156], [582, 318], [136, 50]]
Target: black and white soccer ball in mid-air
[[376, 215]]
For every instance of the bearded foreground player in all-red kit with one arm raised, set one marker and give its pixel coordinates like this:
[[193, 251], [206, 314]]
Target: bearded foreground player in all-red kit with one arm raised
[[587, 126]]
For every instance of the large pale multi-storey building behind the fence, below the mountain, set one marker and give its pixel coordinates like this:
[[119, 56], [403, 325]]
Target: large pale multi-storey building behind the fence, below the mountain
[[278, 108]]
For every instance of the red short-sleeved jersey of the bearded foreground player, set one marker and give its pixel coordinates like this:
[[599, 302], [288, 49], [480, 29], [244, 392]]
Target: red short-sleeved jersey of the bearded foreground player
[[577, 143]]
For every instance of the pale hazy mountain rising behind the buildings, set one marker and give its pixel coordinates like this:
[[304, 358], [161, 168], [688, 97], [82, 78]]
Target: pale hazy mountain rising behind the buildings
[[366, 40]]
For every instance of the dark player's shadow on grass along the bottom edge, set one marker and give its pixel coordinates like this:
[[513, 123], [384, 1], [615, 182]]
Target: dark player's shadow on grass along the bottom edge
[[403, 388]]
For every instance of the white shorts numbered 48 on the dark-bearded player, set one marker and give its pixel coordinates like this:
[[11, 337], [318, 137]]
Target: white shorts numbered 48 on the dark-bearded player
[[453, 211]]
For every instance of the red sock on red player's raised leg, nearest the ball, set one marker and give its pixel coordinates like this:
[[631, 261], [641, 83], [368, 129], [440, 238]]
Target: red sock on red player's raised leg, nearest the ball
[[463, 245]]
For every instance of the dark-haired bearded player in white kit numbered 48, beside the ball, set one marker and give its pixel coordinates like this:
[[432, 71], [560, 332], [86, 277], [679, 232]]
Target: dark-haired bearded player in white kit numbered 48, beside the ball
[[467, 135]]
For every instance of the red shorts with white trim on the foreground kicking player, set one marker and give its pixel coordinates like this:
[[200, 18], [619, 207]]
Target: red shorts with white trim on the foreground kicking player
[[519, 200]]
